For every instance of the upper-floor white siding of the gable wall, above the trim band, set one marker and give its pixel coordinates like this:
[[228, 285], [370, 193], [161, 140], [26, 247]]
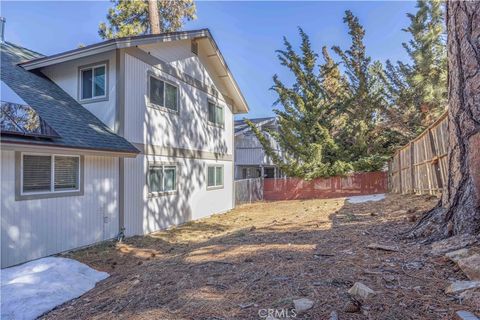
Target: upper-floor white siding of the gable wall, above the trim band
[[188, 129]]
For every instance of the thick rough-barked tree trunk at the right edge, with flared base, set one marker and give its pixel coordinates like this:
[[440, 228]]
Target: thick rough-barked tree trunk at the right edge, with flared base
[[459, 210]]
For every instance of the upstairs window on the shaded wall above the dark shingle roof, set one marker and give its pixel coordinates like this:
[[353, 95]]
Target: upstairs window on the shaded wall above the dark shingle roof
[[93, 82]]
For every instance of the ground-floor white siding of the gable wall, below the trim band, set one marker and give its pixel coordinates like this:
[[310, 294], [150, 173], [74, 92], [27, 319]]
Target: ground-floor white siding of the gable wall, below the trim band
[[144, 214]]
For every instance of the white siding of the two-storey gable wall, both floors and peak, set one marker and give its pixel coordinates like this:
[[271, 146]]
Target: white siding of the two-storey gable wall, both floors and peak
[[187, 129]]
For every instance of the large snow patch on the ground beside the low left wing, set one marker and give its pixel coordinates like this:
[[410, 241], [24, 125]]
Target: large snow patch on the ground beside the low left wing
[[33, 288]]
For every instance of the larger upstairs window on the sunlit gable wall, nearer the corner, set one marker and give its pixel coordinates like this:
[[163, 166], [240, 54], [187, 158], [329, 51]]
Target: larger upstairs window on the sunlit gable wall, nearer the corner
[[163, 94]]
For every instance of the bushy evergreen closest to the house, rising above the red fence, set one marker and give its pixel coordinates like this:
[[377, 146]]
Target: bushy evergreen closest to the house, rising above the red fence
[[309, 151]]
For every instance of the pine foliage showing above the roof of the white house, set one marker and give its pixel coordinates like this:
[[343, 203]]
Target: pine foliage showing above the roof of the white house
[[131, 18]]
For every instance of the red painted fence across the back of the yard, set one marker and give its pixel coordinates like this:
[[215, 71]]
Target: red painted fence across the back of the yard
[[353, 185]]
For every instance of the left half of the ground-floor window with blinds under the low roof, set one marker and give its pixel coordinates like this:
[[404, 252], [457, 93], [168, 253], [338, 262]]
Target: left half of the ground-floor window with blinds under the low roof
[[37, 173]]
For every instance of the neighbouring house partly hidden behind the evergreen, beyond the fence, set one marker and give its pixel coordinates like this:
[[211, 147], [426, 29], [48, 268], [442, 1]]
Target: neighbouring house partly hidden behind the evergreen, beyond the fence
[[250, 158]]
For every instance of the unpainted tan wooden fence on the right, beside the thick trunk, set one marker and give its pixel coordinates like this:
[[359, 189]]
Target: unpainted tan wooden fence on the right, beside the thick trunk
[[420, 167]]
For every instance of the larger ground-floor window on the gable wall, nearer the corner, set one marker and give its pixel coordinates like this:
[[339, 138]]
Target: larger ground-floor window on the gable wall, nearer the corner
[[162, 178]]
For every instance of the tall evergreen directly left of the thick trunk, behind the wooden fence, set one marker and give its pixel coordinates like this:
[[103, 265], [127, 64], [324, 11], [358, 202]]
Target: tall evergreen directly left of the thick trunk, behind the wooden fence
[[417, 92]]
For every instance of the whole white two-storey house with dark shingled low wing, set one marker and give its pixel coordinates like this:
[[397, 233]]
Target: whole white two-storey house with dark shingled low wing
[[123, 137]]
